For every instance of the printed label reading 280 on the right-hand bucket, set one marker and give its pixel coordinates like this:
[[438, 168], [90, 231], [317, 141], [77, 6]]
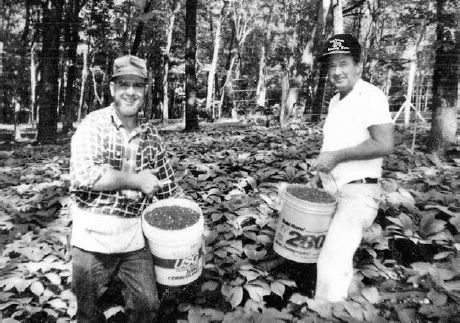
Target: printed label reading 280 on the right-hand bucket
[[298, 244]]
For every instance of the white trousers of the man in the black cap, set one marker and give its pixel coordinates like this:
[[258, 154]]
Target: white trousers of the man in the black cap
[[357, 208]]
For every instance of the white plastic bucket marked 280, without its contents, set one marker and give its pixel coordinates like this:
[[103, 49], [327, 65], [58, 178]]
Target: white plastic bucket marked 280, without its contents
[[302, 227]]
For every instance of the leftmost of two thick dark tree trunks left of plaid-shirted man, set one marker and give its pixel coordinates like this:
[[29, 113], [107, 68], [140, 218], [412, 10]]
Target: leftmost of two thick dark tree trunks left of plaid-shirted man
[[47, 124]]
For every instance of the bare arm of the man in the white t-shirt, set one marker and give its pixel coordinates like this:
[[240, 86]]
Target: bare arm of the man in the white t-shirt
[[380, 143]]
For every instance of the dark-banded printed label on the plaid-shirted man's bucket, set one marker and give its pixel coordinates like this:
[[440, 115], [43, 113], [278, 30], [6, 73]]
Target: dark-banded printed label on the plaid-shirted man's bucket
[[180, 271]]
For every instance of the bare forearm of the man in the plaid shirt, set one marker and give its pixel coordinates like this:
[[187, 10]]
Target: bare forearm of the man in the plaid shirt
[[113, 180]]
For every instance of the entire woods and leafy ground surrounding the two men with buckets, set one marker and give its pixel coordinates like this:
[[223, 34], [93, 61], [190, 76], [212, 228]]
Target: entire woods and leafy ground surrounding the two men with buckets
[[252, 62]]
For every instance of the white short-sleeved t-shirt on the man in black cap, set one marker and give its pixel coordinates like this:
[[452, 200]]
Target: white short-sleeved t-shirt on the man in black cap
[[347, 125]]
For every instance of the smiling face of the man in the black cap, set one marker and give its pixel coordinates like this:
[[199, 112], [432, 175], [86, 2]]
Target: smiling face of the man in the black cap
[[343, 72]]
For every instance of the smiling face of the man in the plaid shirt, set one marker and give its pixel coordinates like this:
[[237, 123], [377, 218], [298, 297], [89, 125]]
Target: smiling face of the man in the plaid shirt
[[128, 93]]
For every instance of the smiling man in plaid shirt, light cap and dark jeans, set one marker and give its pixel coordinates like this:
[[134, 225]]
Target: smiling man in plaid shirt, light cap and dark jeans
[[118, 166]]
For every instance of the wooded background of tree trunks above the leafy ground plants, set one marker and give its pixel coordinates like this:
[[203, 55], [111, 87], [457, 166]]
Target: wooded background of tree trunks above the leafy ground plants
[[245, 57]]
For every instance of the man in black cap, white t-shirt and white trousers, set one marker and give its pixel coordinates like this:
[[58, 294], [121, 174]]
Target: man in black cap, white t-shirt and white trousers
[[357, 133]]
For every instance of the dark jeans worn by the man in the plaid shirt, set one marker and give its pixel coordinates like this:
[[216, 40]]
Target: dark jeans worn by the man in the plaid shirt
[[92, 273]]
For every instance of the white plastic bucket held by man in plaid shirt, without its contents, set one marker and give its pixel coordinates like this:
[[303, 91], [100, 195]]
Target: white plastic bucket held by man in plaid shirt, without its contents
[[178, 254]]
